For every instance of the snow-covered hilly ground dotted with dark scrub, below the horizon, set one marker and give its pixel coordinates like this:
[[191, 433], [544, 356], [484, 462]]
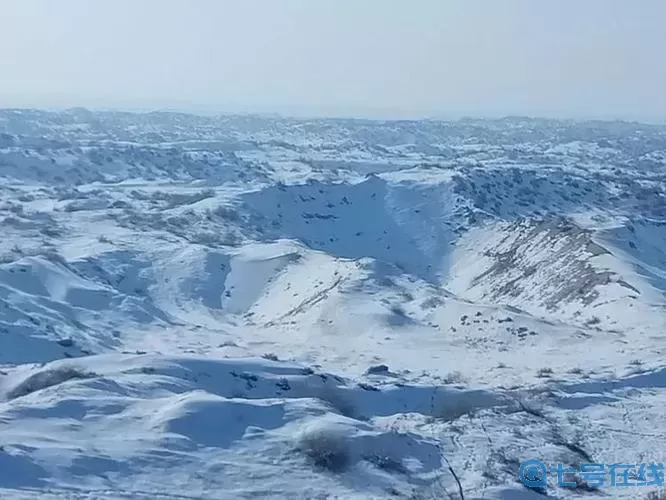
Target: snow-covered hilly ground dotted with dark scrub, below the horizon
[[248, 307]]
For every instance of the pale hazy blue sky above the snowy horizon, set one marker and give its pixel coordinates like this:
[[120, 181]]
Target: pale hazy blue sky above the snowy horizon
[[372, 58]]
